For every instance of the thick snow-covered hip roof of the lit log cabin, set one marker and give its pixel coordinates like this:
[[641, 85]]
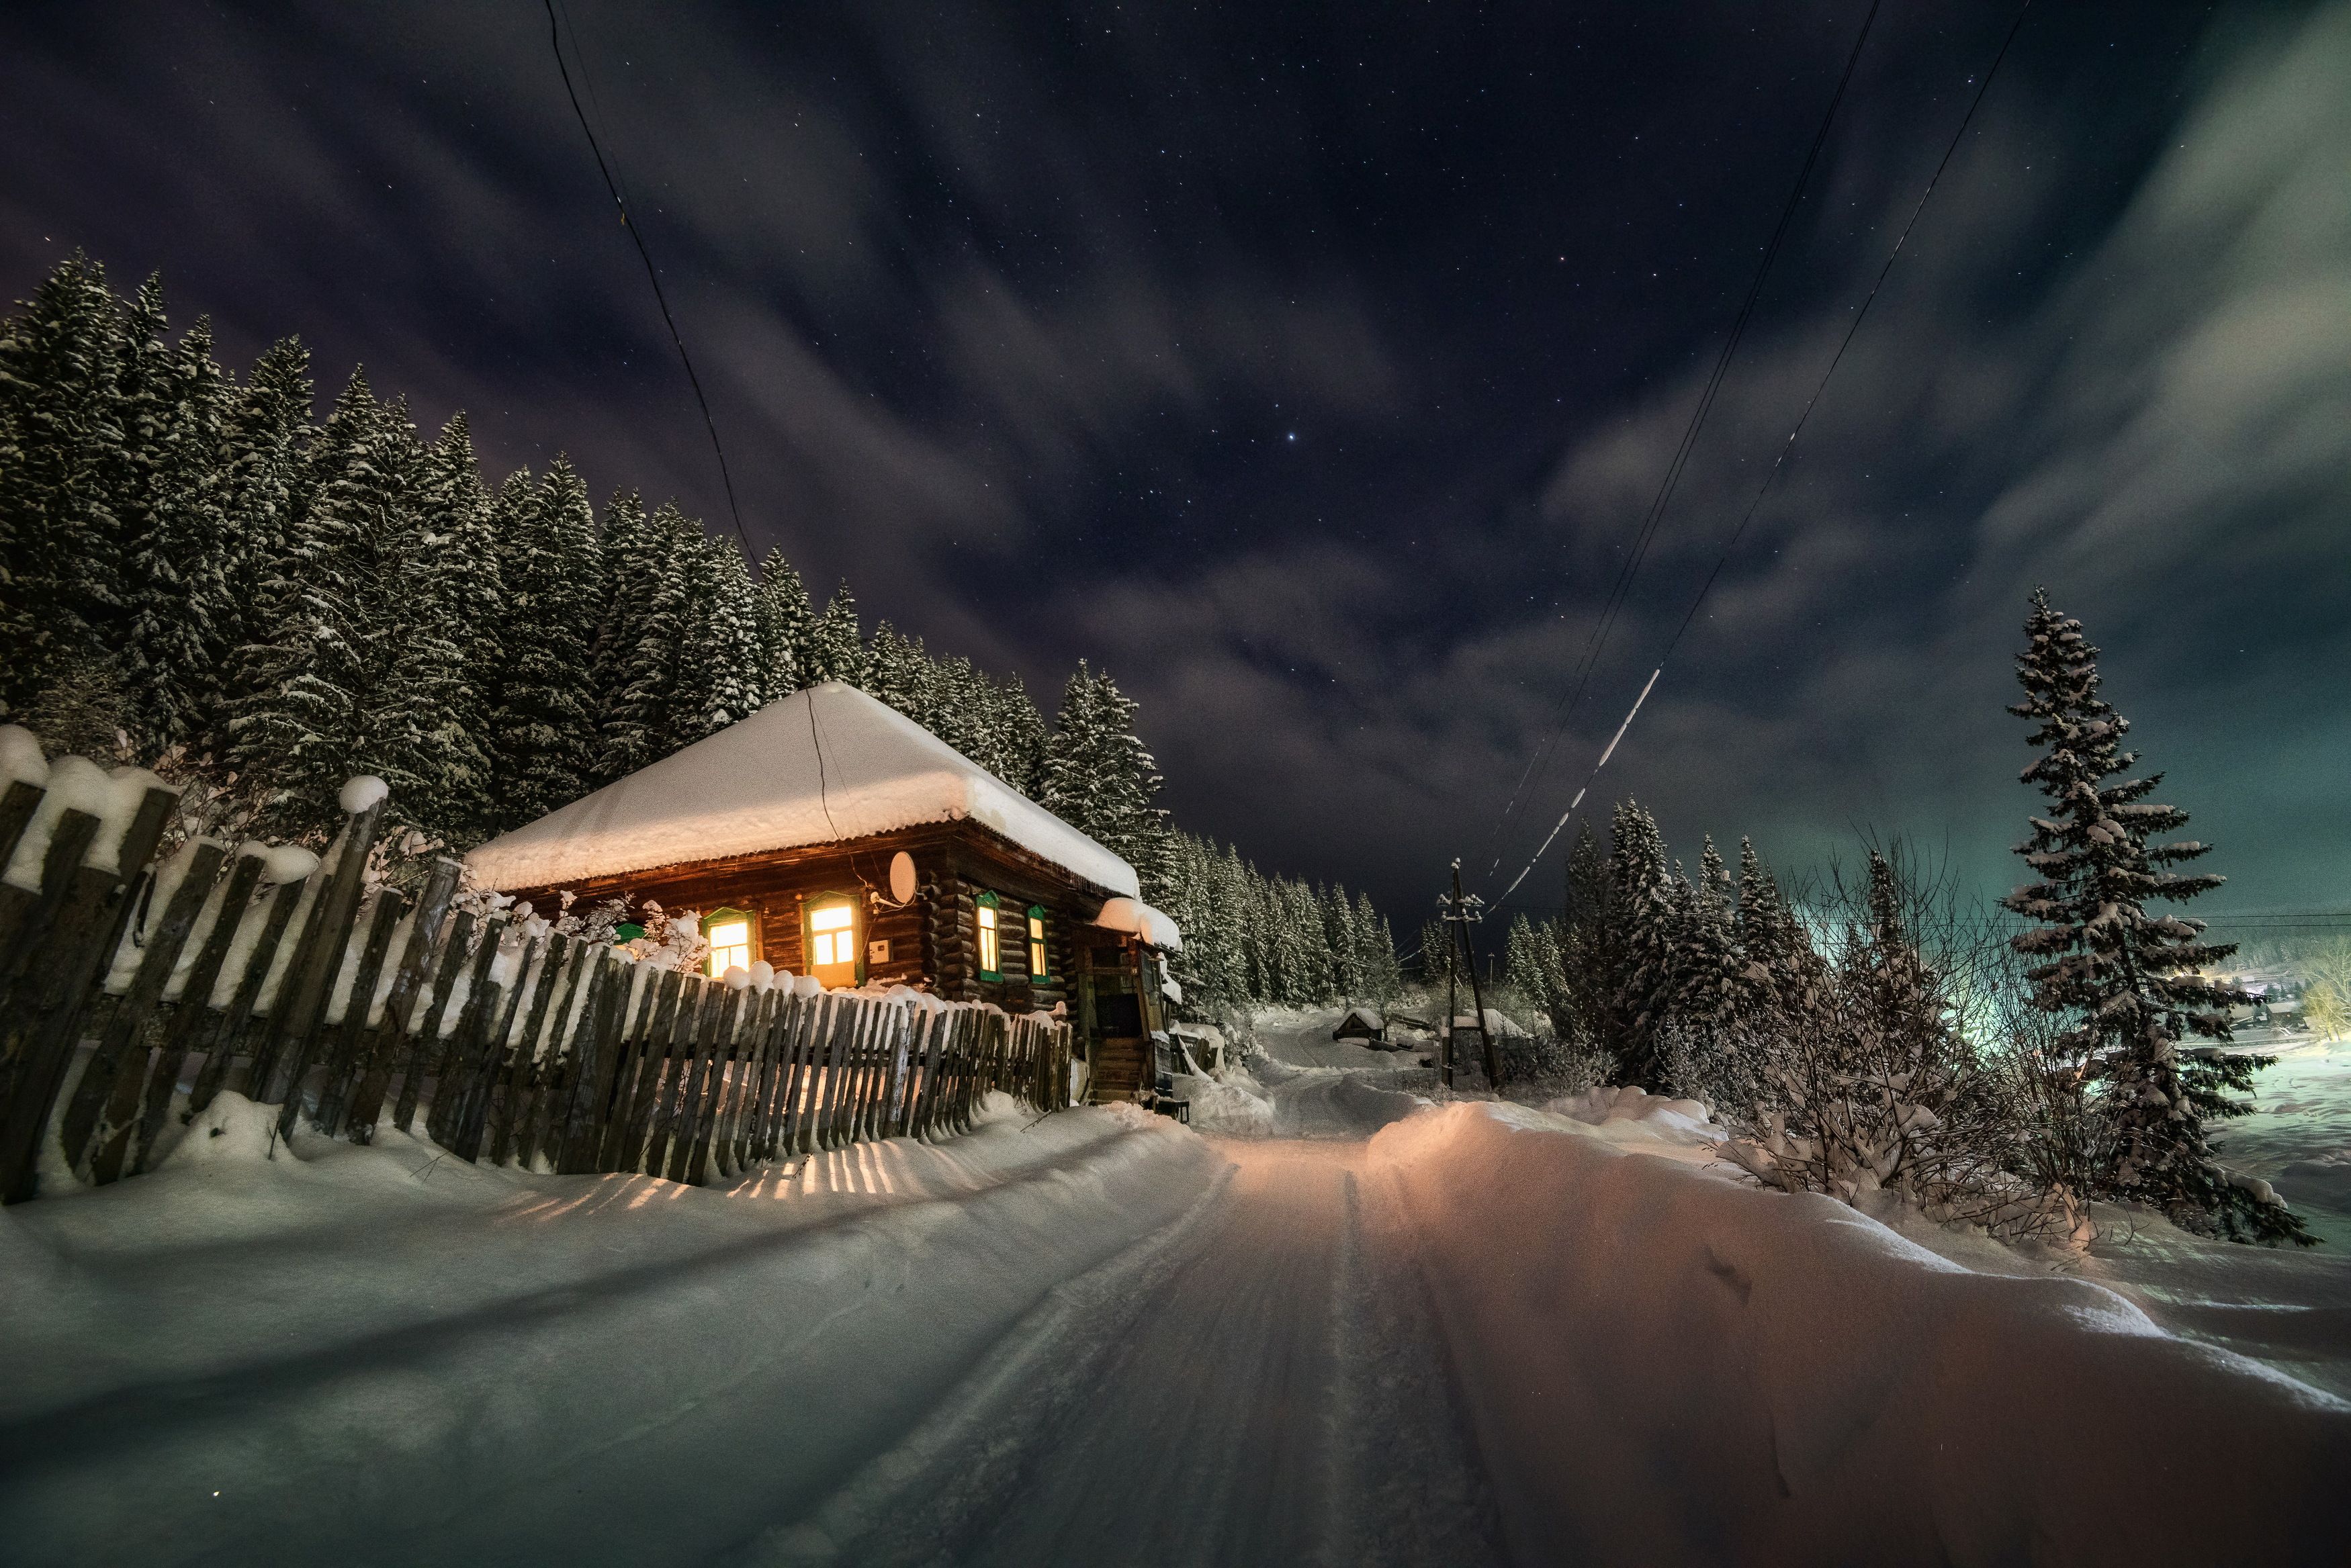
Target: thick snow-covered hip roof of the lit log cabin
[[817, 768]]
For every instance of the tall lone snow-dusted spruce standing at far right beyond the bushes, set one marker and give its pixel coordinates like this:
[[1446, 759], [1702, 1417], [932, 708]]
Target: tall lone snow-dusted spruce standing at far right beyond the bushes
[[2129, 981]]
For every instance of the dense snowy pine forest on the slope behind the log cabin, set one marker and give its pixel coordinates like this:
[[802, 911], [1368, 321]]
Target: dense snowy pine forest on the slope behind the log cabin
[[203, 577]]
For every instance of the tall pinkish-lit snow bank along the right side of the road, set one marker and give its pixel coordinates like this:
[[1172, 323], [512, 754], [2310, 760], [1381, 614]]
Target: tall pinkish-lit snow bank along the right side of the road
[[1666, 1367]]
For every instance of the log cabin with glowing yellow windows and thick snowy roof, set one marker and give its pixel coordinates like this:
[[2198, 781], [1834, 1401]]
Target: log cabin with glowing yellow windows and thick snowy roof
[[836, 838]]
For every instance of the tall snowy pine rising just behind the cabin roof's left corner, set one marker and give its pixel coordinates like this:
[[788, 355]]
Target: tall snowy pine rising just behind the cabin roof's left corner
[[542, 718]]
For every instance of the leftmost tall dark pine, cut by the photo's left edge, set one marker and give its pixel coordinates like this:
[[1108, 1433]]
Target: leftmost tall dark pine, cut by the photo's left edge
[[60, 460]]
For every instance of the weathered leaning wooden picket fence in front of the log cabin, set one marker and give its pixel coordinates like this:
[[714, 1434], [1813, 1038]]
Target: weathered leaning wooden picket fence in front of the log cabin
[[335, 998]]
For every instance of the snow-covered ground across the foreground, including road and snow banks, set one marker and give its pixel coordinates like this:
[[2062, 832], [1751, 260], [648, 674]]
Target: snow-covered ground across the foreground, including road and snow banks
[[1327, 1325]]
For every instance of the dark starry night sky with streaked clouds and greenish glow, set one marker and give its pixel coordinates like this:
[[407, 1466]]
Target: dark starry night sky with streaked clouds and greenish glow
[[1313, 366]]
